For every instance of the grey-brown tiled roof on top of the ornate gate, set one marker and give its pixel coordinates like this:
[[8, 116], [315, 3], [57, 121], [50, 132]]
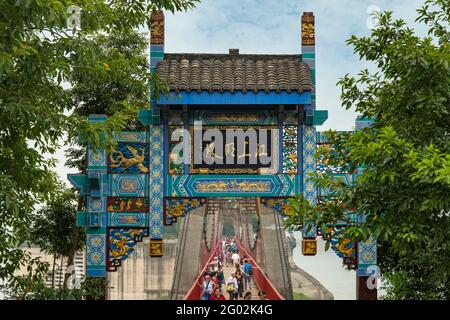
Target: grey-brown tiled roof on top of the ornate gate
[[235, 72]]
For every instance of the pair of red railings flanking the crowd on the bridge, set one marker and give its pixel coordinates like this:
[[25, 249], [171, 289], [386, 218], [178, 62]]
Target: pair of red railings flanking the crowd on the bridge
[[260, 279]]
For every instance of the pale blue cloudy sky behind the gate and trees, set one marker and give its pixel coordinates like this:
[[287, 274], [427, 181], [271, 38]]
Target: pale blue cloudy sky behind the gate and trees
[[273, 27]]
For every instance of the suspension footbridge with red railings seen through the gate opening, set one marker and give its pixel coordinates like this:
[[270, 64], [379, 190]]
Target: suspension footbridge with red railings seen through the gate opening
[[261, 238]]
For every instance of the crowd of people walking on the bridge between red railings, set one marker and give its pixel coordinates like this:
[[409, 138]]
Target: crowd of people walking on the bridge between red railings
[[238, 284]]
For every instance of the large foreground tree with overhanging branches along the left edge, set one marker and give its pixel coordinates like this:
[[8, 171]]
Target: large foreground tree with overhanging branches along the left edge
[[38, 54]]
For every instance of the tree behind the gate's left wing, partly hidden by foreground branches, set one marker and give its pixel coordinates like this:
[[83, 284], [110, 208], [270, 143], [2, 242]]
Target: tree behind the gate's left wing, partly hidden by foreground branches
[[125, 54]]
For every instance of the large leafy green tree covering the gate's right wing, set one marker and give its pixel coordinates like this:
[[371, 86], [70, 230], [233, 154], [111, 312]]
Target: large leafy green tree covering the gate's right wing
[[405, 155]]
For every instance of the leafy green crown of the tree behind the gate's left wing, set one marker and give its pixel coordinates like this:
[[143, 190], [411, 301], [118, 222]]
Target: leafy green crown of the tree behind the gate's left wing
[[120, 93]]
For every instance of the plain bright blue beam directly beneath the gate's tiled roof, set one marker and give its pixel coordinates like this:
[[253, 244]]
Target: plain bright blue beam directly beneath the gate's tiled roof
[[236, 98]]
